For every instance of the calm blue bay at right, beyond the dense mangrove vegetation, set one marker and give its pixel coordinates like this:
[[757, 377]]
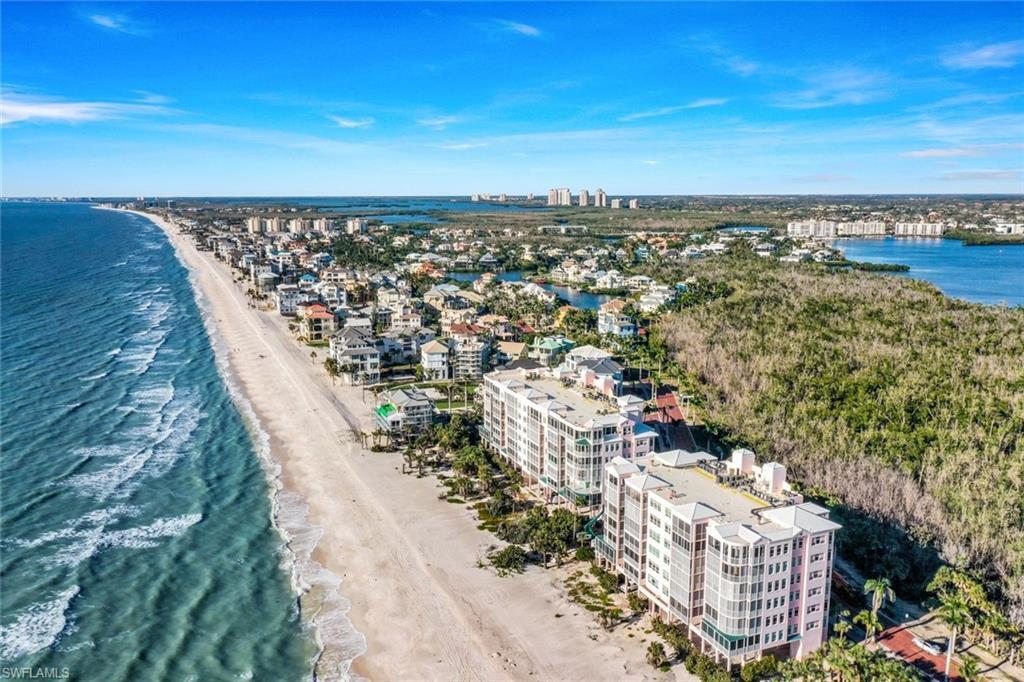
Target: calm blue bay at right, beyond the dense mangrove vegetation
[[979, 274]]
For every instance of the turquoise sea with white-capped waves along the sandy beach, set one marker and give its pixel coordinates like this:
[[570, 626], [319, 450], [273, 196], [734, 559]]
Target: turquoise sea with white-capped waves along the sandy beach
[[138, 542]]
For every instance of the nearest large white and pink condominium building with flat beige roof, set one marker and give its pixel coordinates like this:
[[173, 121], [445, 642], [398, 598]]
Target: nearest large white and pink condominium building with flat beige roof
[[726, 548]]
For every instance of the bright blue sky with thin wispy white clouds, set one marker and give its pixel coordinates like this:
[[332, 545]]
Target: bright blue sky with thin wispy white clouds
[[333, 99]]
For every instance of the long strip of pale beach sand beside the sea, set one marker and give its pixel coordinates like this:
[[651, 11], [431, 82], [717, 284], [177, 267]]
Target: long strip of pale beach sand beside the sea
[[408, 562]]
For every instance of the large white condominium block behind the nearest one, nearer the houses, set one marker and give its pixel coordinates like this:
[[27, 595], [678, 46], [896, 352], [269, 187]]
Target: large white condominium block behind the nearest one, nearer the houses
[[559, 438]]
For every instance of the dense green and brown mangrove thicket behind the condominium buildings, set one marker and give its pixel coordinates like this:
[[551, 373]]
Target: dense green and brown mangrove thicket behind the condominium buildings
[[880, 393]]
